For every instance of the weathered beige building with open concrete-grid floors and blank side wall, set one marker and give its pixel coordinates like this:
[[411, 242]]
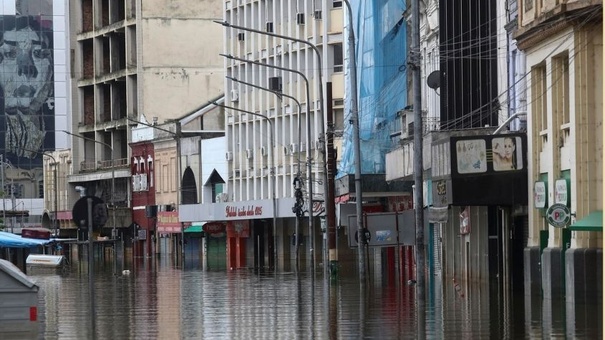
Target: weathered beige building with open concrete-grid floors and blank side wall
[[129, 59]]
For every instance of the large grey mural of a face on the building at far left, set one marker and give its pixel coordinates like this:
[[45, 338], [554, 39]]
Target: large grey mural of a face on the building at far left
[[26, 78]]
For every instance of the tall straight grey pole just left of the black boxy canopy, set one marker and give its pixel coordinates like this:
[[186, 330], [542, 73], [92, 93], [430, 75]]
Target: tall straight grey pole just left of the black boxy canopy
[[418, 180]]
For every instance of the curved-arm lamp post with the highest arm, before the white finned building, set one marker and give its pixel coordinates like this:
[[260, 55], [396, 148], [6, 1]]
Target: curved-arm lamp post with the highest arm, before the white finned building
[[328, 205]]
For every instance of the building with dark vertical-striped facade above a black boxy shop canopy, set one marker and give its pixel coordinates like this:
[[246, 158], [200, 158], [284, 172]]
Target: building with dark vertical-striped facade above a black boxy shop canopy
[[472, 202]]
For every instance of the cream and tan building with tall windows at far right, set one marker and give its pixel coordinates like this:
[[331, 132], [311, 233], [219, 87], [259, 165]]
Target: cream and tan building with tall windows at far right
[[563, 44]]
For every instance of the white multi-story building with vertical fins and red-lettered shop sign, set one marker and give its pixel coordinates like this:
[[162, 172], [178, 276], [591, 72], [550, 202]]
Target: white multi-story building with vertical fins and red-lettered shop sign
[[271, 141]]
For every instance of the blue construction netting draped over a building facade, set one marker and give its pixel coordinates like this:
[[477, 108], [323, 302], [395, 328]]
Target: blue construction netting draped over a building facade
[[381, 54]]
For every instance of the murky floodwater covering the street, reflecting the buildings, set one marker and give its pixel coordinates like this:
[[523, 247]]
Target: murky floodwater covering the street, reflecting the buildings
[[162, 301]]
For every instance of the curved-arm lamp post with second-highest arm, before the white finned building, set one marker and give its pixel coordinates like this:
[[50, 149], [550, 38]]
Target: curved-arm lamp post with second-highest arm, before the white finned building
[[309, 165]]
